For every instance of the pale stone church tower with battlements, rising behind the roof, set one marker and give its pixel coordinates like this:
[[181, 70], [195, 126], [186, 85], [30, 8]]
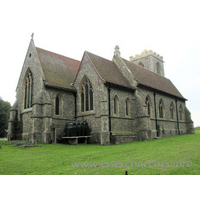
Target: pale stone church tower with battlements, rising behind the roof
[[150, 60]]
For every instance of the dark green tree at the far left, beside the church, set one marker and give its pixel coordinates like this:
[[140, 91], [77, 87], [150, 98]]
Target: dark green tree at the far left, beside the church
[[4, 117]]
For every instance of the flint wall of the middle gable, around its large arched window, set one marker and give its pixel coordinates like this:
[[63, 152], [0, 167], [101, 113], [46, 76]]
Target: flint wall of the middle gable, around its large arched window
[[97, 116]]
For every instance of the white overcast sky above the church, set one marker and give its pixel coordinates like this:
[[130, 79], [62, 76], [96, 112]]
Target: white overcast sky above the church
[[170, 28]]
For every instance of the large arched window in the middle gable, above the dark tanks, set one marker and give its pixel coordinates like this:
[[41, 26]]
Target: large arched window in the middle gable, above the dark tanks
[[86, 96]]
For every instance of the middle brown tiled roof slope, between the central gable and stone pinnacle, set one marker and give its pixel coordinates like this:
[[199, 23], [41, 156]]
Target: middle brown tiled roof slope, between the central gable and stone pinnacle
[[108, 70]]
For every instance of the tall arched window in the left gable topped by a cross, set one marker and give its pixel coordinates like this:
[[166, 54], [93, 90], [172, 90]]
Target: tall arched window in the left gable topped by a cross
[[28, 91]]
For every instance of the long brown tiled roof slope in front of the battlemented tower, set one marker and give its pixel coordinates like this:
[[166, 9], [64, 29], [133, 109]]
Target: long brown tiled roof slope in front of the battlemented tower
[[152, 80]]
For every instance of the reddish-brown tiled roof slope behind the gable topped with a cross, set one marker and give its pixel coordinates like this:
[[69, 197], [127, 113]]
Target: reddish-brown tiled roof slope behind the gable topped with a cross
[[58, 70]]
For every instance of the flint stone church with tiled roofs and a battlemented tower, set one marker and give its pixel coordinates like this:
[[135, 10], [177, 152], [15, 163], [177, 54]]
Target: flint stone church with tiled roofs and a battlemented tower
[[121, 100]]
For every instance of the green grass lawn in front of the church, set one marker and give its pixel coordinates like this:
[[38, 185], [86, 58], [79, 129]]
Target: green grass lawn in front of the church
[[57, 158]]
